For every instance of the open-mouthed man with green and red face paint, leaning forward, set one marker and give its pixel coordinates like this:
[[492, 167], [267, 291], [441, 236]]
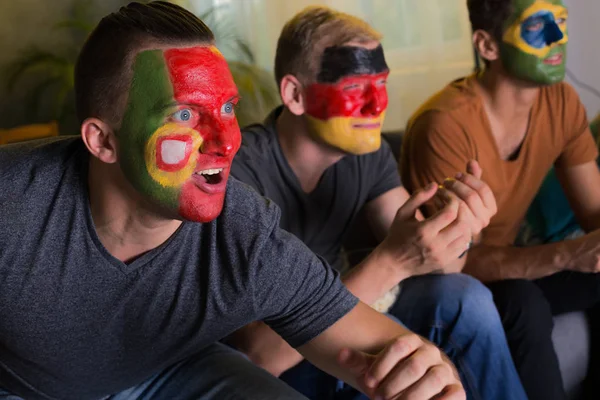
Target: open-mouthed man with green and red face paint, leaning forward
[[127, 253]]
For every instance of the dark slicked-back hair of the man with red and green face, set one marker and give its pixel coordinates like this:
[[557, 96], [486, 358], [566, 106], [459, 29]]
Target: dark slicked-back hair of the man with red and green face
[[103, 71]]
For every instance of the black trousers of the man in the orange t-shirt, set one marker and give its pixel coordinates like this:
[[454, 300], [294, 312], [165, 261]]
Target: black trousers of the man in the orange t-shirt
[[527, 308]]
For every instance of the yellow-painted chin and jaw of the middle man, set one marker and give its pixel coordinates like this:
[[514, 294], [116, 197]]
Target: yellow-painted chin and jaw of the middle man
[[351, 134]]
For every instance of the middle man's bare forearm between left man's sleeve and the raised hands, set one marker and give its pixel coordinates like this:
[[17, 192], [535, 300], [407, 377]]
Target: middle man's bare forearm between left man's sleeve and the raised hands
[[374, 277]]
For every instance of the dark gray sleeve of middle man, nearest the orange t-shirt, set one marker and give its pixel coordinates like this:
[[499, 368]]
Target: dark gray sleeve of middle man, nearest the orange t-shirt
[[384, 167]]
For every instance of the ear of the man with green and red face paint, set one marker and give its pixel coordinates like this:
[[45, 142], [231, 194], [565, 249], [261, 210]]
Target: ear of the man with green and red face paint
[[100, 140]]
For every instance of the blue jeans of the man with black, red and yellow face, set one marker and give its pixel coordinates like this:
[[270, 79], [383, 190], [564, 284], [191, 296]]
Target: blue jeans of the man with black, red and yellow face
[[457, 313]]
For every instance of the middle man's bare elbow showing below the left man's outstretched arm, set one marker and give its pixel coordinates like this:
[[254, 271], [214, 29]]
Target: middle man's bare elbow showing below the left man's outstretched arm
[[265, 348]]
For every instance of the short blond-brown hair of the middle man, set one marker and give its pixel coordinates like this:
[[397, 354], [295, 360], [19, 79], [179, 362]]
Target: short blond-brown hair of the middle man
[[304, 38]]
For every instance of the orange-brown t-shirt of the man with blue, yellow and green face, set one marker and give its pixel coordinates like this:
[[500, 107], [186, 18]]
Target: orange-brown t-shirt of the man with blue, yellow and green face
[[452, 128]]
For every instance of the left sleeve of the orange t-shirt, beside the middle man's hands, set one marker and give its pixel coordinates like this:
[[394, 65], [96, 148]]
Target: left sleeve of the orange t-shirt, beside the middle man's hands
[[435, 147]]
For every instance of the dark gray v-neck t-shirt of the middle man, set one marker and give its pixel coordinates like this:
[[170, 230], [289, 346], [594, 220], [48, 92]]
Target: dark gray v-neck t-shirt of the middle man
[[321, 218]]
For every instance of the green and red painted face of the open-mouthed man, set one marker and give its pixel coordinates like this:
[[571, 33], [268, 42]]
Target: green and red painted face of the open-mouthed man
[[179, 133]]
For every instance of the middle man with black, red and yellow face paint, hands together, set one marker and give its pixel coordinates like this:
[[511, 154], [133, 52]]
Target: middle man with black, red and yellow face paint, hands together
[[320, 157]]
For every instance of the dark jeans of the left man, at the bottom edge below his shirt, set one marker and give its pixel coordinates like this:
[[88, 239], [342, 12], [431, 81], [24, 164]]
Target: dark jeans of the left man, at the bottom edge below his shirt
[[217, 372]]
